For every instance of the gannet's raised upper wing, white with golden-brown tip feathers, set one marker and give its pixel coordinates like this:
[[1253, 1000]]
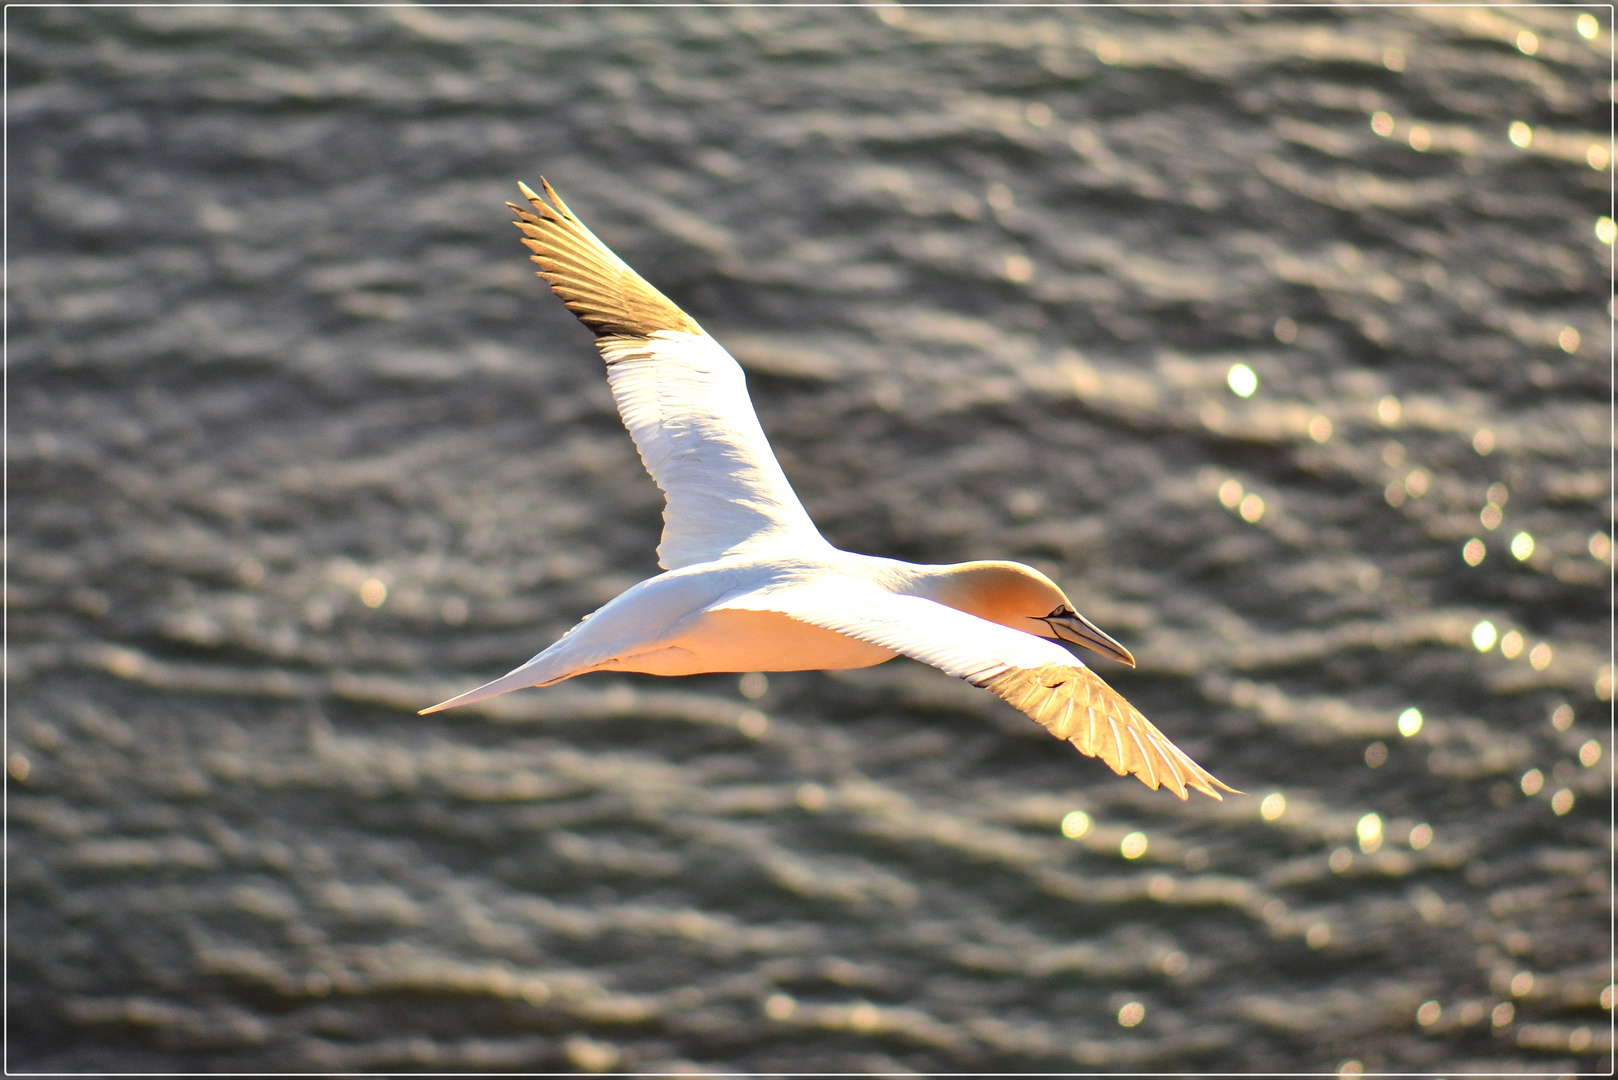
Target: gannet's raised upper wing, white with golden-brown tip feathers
[[682, 398]]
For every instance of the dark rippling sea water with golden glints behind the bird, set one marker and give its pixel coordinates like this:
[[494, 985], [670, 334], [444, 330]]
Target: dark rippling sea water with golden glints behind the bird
[[273, 338]]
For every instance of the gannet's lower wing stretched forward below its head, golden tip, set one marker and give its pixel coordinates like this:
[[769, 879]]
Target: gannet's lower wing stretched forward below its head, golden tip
[[1040, 678]]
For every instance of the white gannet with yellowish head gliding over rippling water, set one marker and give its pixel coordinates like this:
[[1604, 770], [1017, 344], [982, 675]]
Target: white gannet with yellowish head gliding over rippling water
[[750, 584]]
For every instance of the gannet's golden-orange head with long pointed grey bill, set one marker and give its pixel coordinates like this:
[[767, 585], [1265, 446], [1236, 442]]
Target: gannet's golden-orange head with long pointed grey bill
[[1025, 600]]
